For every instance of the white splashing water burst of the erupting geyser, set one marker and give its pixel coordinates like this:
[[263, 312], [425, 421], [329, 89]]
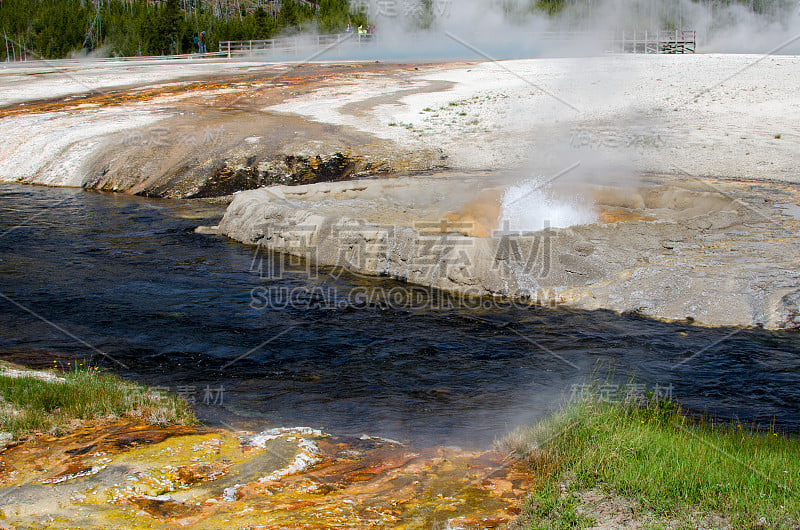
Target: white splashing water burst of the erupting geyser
[[532, 205]]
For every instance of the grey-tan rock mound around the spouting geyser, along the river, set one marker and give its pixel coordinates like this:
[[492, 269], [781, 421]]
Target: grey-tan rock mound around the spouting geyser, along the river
[[717, 253]]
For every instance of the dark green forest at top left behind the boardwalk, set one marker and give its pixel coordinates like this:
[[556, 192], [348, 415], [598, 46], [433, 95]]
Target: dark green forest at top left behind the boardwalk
[[51, 29]]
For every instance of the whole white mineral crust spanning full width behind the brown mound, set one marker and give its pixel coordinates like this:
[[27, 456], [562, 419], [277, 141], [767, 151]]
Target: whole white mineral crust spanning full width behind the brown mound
[[732, 116]]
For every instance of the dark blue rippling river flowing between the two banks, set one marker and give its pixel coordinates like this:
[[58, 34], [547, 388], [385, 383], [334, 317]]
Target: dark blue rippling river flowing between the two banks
[[126, 282]]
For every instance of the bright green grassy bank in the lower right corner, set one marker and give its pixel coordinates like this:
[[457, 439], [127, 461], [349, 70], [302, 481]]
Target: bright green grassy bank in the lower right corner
[[660, 466]]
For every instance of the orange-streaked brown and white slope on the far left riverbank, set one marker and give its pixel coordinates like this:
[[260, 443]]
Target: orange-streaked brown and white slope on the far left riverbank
[[177, 131]]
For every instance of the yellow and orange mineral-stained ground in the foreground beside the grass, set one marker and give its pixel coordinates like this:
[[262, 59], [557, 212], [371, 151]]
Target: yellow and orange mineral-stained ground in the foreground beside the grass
[[130, 474]]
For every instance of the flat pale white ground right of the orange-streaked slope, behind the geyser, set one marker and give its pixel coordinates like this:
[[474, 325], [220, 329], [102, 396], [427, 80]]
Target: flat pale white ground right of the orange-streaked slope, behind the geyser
[[734, 116]]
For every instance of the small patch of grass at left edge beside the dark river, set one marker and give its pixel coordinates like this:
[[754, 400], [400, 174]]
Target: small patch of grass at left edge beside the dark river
[[36, 401]]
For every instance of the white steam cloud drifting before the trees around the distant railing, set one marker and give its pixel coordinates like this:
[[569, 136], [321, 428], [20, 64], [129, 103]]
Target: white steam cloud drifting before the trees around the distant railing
[[470, 29]]
